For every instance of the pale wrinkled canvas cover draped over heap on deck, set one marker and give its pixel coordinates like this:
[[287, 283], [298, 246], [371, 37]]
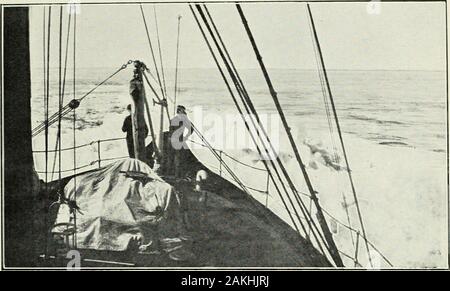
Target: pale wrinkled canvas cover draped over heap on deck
[[120, 202]]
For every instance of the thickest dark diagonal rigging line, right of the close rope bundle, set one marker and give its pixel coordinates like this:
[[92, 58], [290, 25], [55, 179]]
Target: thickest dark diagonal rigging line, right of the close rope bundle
[[326, 231]]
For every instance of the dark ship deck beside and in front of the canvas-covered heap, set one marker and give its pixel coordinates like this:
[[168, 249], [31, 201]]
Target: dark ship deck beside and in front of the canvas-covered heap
[[231, 230]]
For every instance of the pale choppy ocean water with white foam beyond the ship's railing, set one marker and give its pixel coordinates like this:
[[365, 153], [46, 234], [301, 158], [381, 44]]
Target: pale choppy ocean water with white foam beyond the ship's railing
[[394, 128]]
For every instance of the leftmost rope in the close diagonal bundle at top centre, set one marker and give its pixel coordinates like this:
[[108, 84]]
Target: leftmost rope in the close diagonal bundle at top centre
[[240, 111]]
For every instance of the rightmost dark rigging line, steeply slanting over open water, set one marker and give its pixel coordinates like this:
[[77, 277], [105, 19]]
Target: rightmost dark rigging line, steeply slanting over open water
[[355, 197]]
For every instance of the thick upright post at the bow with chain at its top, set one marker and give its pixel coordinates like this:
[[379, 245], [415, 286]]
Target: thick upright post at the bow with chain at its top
[[138, 118]]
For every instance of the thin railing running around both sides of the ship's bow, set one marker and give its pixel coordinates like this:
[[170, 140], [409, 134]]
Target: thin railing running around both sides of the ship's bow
[[357, 237]]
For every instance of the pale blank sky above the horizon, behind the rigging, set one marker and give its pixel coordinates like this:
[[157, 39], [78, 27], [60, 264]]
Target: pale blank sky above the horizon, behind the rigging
[[402, 36]]
